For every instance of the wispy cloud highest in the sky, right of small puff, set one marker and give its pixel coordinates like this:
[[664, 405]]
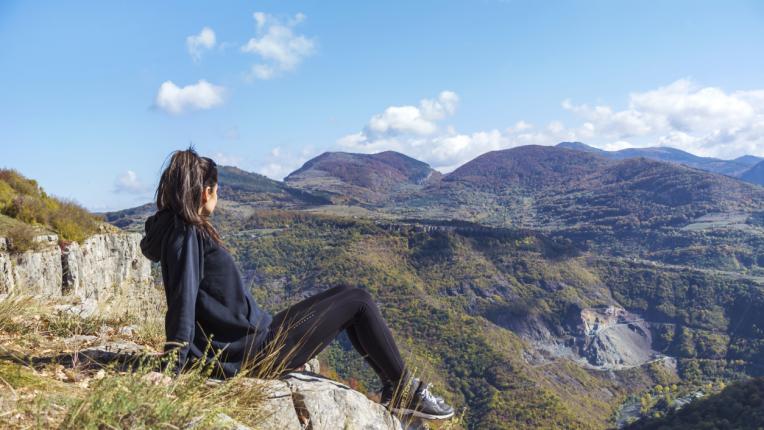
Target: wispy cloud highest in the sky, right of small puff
[[279, 48]]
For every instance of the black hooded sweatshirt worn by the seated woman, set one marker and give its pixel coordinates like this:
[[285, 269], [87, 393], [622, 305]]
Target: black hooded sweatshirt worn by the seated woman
[[206, 297]]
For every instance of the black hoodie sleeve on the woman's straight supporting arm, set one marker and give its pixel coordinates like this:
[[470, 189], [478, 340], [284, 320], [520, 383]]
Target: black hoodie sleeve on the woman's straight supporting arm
[[184, 265]]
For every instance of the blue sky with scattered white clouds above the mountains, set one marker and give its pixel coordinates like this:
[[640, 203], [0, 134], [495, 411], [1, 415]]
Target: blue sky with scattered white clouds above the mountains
[[95, 95]]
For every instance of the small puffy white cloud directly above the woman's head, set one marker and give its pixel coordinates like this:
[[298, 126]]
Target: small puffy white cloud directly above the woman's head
[[201, 95]]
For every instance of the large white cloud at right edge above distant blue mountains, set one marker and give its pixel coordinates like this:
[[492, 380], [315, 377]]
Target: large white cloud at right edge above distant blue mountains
[[702, 120]]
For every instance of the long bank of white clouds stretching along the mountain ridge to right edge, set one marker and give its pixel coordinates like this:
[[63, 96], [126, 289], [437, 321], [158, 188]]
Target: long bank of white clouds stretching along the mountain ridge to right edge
[[702, 120]]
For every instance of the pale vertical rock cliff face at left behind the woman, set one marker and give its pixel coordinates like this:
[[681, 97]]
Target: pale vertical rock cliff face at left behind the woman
[[102, 265]]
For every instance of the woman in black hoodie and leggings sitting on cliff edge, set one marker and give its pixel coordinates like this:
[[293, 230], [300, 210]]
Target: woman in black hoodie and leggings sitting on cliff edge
[[208, 304]]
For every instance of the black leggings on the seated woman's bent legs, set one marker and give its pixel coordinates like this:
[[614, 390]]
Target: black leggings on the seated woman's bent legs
[[307, 327]]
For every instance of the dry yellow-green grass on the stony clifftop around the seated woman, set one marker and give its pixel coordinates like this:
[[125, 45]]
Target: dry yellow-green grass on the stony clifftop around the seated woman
[[91, 396]]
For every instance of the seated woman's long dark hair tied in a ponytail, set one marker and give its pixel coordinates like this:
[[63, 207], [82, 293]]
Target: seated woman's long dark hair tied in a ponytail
[[181, 186]]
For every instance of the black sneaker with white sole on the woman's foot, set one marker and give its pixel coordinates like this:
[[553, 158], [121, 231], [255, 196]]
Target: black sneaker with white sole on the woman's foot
[[418, 401]]
